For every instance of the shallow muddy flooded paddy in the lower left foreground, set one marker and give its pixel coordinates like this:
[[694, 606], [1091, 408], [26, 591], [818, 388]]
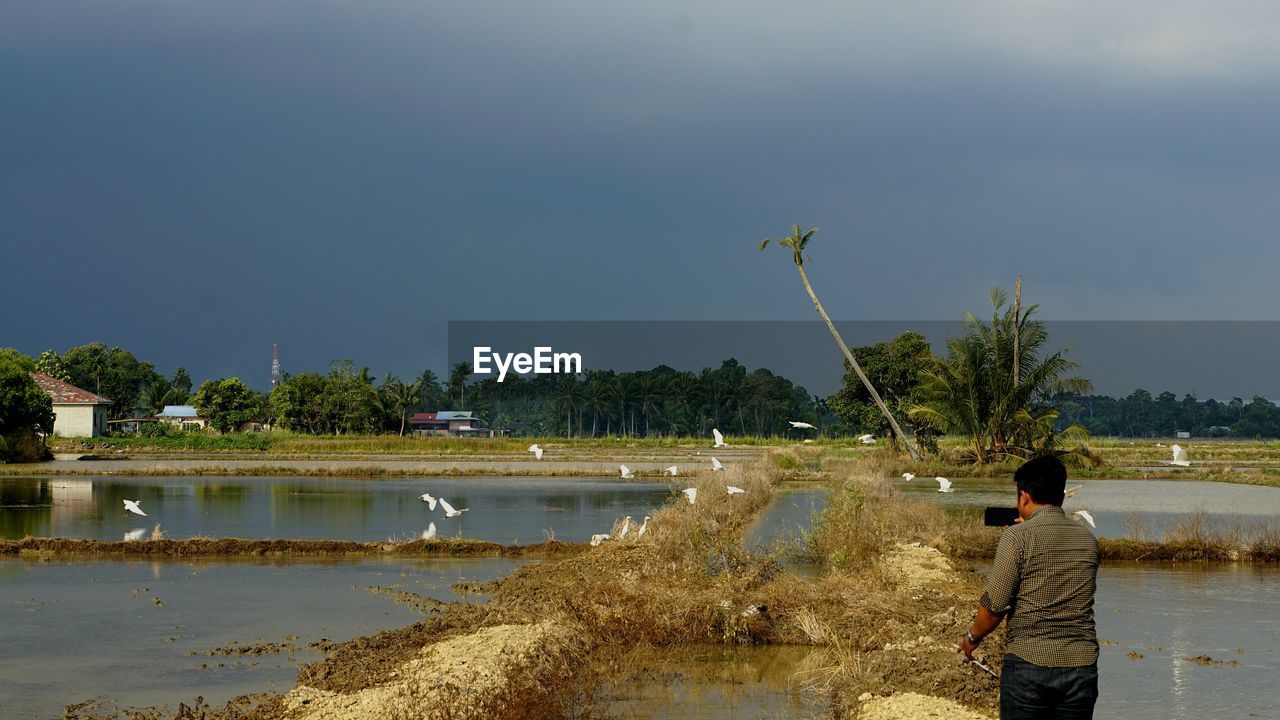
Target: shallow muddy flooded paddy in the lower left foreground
[[140, 632]]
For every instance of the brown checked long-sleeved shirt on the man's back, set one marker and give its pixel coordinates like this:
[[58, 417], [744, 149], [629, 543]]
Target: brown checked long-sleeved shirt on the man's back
[[1043, 581]]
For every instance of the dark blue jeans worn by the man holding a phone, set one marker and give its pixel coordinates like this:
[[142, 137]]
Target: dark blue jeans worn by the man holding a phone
[[1031, 692]]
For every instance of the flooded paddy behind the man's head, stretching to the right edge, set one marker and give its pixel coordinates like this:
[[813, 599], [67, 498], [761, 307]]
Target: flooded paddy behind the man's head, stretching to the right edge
[[1150, 505]]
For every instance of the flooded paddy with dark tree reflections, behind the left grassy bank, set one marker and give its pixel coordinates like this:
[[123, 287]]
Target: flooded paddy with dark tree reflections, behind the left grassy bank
[[506, 511]]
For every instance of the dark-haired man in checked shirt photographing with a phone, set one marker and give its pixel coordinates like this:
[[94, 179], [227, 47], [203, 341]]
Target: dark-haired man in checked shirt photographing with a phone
[[1043, 584]]
